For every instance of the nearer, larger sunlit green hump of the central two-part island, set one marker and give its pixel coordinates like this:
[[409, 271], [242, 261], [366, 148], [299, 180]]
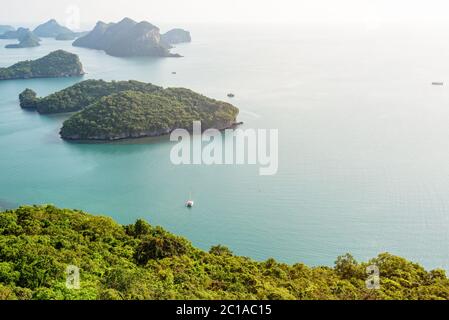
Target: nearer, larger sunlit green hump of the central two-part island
[[133, 114]]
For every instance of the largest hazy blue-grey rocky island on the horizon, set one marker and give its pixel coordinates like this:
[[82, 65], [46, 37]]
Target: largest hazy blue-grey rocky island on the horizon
[[126, 38]]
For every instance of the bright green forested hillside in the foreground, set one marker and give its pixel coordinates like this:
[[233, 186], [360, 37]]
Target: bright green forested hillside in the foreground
[[140, 261]]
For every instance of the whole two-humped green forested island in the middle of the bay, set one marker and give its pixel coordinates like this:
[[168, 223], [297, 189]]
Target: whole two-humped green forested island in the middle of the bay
[[129, 109]]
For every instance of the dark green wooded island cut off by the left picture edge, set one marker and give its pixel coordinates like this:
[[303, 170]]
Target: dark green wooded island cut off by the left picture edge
[[59, 63]]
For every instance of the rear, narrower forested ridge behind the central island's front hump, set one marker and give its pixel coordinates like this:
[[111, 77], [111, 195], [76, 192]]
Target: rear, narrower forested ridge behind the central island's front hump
[[80, 95]]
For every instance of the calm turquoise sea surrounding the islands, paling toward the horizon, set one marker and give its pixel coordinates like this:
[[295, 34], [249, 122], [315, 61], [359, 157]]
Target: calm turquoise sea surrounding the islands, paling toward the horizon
[[363, 159]]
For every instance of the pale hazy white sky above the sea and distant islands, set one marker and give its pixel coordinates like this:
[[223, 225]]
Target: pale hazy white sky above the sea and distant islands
[[236, 11]]
